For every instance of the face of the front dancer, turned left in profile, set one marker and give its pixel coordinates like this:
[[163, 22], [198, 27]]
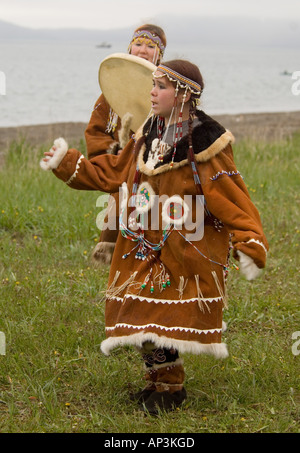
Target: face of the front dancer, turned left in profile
[[162, 96]]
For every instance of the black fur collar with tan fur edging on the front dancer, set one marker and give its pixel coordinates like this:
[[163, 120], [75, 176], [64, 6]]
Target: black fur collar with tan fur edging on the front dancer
[[209, 139]]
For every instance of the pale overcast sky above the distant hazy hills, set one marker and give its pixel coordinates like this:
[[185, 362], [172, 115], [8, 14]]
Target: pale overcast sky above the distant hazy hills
[[106, 14]]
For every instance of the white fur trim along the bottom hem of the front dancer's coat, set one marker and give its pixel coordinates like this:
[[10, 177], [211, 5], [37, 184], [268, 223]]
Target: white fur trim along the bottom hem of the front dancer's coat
[[218, 350]]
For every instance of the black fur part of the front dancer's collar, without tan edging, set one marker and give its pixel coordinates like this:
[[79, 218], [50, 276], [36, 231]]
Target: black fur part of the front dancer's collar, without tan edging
[[204, 134]]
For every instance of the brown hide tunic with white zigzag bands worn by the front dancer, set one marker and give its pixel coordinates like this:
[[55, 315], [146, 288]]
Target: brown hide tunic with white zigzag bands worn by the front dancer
[[187, 315]]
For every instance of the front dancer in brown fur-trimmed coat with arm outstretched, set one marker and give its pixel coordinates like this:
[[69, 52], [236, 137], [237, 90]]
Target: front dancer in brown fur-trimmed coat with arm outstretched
[[184, 207]]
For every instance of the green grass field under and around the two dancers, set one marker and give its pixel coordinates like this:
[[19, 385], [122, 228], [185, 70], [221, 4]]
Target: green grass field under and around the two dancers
[[53, 377]]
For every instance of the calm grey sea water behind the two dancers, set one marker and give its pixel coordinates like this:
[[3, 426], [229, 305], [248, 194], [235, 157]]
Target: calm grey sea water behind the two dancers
[[47, 82]]
